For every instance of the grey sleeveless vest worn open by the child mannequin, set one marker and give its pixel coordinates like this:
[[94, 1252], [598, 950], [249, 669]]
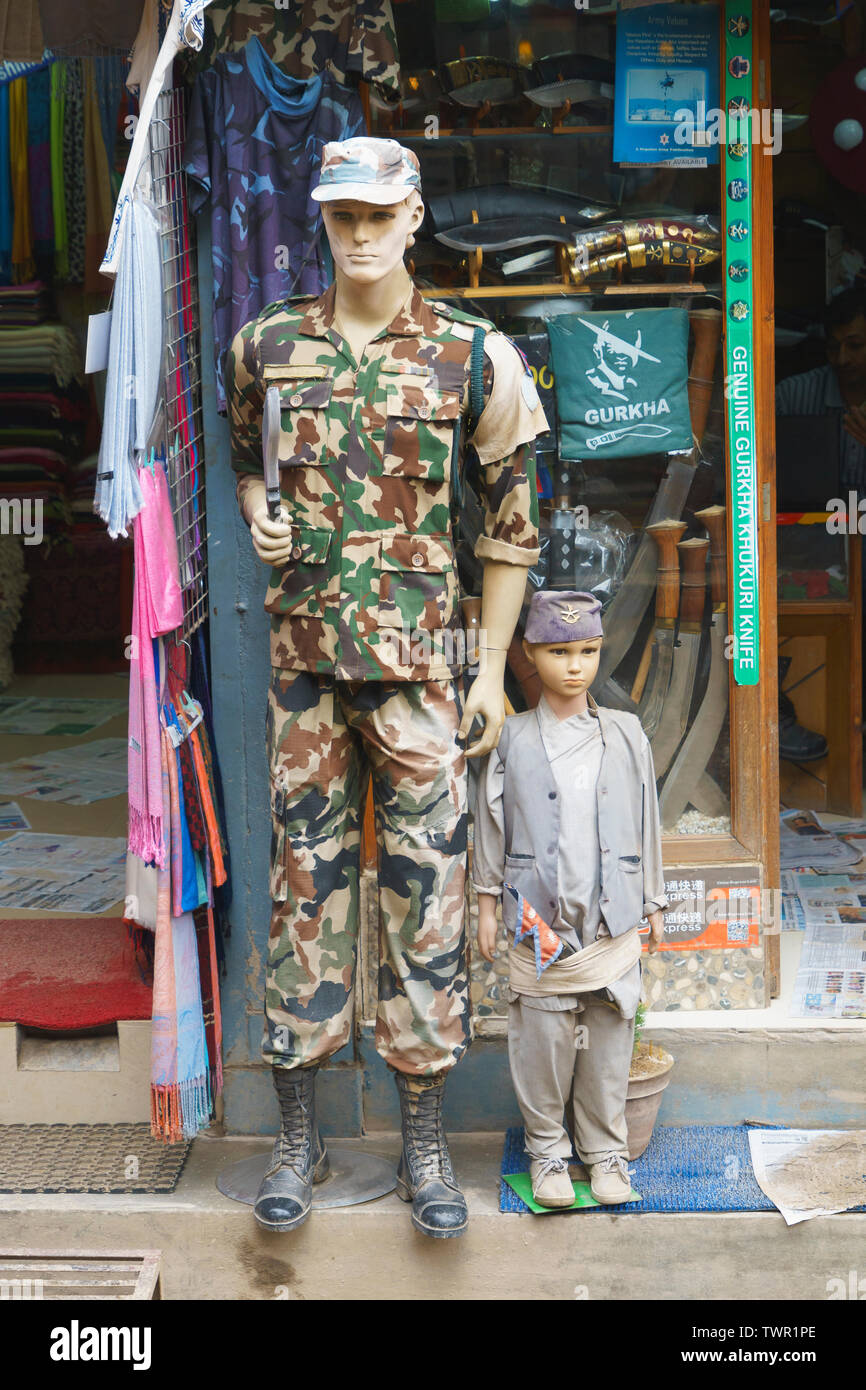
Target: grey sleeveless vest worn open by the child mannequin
[[532, 821]]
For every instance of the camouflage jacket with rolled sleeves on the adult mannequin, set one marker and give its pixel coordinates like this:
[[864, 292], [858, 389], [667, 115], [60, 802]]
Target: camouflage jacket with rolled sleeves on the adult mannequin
[[366, 471]]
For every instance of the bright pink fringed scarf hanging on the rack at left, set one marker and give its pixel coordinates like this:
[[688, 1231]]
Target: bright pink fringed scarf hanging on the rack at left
[[158, 608]]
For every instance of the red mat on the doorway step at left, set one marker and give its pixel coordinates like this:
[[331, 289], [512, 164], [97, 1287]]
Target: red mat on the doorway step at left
[[70, 974]]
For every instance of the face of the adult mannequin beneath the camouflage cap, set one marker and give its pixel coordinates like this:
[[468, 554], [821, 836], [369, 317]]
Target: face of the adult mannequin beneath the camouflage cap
[[369, 241]]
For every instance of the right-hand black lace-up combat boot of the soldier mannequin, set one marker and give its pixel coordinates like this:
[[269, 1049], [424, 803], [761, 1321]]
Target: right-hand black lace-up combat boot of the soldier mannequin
[[426, 1178]]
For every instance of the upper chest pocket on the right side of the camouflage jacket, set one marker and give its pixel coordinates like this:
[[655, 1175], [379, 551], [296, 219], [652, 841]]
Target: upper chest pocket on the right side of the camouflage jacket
[[419, 430]]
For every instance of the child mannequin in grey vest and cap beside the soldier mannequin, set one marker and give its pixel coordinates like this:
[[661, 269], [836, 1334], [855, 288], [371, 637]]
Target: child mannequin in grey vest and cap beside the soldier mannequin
[[569, 817]]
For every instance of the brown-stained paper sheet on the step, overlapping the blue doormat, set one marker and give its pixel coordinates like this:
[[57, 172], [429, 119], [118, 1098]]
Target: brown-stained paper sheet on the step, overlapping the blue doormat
[[810, 1172]]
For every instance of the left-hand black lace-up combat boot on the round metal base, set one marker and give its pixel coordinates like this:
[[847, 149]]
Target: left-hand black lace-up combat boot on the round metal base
[[286, 1197]]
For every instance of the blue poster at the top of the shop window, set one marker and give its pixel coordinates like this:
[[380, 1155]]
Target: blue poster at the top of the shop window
[[667, 85]]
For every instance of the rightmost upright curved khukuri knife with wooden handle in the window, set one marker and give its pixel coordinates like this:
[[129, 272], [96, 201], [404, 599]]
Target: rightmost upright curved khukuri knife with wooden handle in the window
[[687, 779]]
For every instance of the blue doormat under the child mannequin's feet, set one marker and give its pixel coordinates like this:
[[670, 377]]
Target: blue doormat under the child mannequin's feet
[[692, 1168]]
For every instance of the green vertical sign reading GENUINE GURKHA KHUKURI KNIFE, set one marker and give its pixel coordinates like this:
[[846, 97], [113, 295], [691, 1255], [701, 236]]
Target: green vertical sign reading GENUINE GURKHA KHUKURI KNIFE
[[740, 383]]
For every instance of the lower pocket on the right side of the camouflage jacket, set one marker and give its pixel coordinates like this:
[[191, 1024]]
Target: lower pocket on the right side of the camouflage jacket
[[418, 584]]
